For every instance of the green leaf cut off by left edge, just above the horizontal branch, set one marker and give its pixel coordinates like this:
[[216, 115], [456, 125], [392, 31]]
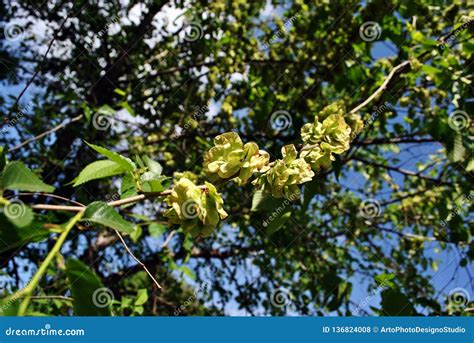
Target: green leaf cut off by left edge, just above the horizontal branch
[[17, 176]]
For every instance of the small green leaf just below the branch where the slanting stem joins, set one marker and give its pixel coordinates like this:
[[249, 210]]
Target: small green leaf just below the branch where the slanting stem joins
[[101, 213]]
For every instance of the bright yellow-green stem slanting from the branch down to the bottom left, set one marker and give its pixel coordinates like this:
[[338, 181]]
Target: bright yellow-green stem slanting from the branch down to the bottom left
[[26, 292]]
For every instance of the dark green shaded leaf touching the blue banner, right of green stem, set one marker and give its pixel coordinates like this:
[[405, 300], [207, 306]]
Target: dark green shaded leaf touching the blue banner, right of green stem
[[90, 296]]
